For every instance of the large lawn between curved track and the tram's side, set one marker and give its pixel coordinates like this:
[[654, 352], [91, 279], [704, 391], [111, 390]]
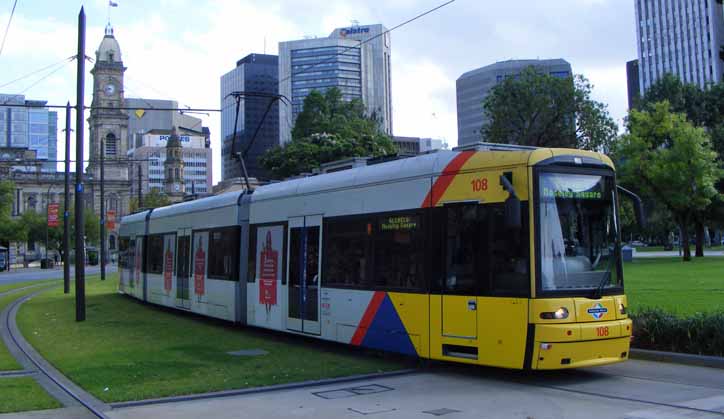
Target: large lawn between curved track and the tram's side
[[127, 350]]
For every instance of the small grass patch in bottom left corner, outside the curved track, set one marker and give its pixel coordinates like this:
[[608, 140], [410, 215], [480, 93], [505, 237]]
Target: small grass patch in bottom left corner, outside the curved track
[[23, 394]]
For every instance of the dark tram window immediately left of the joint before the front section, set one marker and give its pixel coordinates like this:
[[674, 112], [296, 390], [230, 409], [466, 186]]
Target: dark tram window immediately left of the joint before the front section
[[224, 253]]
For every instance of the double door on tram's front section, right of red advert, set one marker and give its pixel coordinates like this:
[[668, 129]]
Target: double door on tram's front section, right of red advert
[[305, 240]]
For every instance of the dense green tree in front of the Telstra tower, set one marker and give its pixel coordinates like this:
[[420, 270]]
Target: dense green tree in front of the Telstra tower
[[328, 129]]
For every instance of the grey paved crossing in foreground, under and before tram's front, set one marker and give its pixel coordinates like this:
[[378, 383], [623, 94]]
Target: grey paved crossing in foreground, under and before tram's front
[[632, 390]]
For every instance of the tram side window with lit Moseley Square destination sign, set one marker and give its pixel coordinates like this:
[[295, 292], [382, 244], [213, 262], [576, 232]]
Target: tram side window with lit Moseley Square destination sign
[[399, 249]]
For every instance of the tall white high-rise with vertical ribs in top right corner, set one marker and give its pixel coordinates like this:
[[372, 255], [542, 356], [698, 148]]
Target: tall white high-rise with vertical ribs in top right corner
[[681, 37]]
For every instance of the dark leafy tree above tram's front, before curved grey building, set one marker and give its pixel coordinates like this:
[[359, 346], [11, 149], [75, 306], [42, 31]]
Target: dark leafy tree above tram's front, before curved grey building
[[541, 110]]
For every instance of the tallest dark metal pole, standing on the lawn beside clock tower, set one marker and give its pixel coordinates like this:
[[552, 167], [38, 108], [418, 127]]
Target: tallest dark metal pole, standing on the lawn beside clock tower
[[79, 131]]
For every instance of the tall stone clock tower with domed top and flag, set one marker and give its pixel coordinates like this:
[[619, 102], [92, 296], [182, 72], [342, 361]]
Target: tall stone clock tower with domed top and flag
[[108, 122]]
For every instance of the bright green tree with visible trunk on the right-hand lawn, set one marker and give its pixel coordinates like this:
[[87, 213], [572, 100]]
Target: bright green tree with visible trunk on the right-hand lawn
[[665, 156]]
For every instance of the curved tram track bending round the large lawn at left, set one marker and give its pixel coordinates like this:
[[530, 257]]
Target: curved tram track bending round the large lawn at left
[[57, 384]]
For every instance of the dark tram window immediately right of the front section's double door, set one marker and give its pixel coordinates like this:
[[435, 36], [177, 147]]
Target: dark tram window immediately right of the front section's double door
[[347, 253]]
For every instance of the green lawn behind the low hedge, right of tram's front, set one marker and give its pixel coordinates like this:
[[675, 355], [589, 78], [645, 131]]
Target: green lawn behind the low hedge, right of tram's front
[[679, 287]]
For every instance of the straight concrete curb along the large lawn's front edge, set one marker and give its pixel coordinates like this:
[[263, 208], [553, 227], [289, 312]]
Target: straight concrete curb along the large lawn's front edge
[[265, 389]]
